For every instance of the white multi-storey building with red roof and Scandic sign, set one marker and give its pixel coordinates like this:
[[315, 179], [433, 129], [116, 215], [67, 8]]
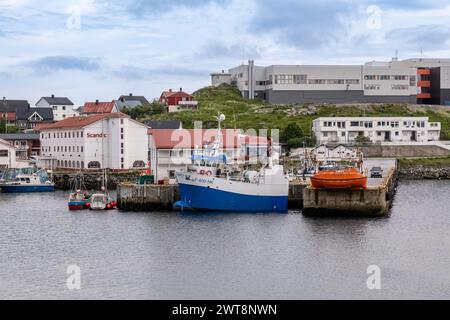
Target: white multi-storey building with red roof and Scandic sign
[[113, 141]]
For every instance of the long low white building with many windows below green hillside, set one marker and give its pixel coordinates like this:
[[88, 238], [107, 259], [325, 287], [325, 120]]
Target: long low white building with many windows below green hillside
[[377, 129]]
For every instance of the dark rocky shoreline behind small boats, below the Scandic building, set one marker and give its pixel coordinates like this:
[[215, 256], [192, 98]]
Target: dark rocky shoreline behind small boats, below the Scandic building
[[92, 181]]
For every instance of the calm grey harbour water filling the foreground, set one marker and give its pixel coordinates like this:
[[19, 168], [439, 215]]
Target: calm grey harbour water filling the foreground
[[229, 256]]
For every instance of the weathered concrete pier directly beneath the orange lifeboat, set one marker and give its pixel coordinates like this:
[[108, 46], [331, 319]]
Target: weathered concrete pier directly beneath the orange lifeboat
[[375, 200]]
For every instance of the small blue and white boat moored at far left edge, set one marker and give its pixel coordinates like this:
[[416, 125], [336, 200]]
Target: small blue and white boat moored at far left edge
[[27, 182]]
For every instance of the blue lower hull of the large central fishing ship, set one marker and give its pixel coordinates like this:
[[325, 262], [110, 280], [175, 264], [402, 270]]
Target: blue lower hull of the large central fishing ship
[[208, 199]]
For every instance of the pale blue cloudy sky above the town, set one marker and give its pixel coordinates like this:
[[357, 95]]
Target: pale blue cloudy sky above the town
[[95, 49]]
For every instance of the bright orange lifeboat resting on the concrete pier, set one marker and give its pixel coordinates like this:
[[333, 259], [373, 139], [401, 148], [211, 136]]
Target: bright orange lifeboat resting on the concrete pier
[[339, 179]]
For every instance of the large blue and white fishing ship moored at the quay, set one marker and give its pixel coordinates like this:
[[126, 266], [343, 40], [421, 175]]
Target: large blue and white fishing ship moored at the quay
[[210, 184]]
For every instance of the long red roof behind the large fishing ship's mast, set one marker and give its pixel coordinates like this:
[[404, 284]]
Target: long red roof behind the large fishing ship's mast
[[189, 138]]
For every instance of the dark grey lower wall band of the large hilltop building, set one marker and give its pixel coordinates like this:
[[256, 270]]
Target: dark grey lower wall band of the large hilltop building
[[331, 96]]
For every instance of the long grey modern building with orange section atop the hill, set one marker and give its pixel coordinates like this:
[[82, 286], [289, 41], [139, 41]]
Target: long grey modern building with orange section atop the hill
[[408, 81]]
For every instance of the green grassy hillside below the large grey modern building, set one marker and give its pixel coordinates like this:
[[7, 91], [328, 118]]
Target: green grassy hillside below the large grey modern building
[[256, 114]]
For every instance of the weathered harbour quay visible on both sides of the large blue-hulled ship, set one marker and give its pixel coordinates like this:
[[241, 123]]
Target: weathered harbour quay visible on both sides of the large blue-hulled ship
[[375, 200]]
